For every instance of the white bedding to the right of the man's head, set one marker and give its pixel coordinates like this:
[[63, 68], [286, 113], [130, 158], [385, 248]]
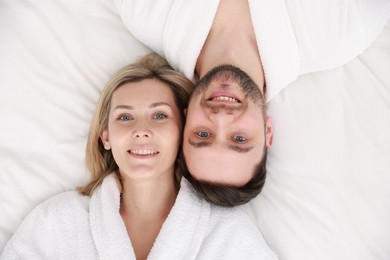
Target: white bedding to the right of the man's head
[[327, 193]]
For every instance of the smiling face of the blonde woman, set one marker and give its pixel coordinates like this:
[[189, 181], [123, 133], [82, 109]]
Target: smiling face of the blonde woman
[[144, 129]]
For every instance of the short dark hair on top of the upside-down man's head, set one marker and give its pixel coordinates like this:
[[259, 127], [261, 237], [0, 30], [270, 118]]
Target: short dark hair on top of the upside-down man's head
[[227, 195]]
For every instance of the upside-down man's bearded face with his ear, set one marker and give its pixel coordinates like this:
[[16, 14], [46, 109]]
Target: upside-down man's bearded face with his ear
[[225, 132]]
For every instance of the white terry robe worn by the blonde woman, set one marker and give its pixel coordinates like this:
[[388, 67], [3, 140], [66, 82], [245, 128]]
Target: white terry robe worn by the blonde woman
[[72, 226]]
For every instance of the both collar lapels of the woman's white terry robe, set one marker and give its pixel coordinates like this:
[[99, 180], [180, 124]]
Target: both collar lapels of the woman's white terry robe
[[180, 236]]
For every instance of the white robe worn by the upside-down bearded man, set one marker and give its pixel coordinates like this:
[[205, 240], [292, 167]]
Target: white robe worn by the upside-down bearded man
[[294, 37]]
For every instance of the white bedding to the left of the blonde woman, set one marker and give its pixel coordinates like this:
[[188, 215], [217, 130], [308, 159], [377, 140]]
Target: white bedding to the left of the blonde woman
[[55, 57]]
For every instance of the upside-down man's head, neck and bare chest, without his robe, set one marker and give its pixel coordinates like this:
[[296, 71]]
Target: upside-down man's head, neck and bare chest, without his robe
[[227, 130]]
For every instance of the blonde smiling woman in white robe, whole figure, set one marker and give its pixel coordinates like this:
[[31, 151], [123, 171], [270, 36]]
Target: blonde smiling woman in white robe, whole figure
[[136, 205]]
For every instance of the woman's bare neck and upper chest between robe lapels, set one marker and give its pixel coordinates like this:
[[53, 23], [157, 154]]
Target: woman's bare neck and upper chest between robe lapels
[[145, 204]]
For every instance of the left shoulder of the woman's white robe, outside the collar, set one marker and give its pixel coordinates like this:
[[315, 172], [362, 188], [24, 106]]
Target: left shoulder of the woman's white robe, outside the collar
[[60, 220]]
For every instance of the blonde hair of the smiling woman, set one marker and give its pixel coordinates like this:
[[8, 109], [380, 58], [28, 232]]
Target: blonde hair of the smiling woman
[[99, 161]]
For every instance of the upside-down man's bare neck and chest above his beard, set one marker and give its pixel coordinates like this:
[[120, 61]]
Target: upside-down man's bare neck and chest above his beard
[[232, 41]]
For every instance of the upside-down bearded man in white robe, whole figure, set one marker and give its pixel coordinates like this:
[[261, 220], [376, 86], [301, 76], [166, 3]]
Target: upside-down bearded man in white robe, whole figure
[[287, 38]]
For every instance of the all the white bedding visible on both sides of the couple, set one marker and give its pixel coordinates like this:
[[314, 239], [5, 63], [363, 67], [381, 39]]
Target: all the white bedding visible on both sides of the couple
[[326, 195]]
